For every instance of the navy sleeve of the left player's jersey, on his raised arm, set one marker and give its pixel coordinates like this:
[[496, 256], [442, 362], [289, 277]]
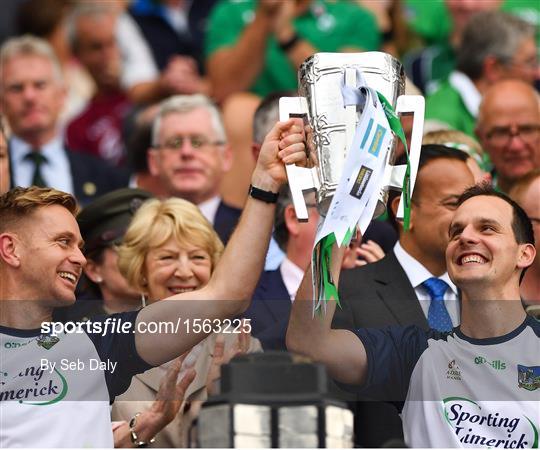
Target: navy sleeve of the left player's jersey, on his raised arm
[[116, 344]]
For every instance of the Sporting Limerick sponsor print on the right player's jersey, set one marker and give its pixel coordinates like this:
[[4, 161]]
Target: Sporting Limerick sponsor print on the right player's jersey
[[499, 427]]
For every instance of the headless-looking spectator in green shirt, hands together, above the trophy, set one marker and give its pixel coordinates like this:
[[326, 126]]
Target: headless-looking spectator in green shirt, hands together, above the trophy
[[258, 46]]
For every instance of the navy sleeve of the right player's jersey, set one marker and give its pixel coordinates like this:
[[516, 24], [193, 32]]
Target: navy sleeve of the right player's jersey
[[392, 353]]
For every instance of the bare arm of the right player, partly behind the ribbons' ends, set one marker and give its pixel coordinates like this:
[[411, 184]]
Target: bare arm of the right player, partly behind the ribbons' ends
[[342, 353]]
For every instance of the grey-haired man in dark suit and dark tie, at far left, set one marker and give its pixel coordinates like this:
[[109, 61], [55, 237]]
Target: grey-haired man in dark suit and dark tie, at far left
[[33, 96]]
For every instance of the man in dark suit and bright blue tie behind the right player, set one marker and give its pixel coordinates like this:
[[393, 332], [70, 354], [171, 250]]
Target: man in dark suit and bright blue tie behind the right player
[[396, 290]]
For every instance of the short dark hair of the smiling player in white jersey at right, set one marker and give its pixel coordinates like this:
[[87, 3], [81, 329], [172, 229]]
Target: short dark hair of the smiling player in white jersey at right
[[521, 224]]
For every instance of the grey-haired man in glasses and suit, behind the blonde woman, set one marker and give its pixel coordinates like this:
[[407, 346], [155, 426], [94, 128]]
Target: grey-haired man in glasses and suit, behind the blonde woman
[[190, 154]]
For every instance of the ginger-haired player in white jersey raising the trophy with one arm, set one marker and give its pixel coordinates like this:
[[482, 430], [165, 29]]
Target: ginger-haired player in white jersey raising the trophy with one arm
[[47, 371]]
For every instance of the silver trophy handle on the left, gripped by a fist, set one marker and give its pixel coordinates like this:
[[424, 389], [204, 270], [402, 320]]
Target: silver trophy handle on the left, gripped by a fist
[[300, 178]]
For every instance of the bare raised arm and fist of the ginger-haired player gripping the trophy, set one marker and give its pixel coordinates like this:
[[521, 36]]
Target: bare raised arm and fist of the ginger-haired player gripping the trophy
[[234, 279]]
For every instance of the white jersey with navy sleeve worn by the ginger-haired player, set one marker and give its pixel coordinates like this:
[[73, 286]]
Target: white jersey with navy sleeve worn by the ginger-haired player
[[56, 391]]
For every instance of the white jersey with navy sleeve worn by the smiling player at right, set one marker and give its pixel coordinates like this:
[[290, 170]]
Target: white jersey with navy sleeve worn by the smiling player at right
[[458, 391]]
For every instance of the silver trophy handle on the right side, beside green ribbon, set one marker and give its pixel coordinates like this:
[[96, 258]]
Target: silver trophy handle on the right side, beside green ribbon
[[410, 104]]
